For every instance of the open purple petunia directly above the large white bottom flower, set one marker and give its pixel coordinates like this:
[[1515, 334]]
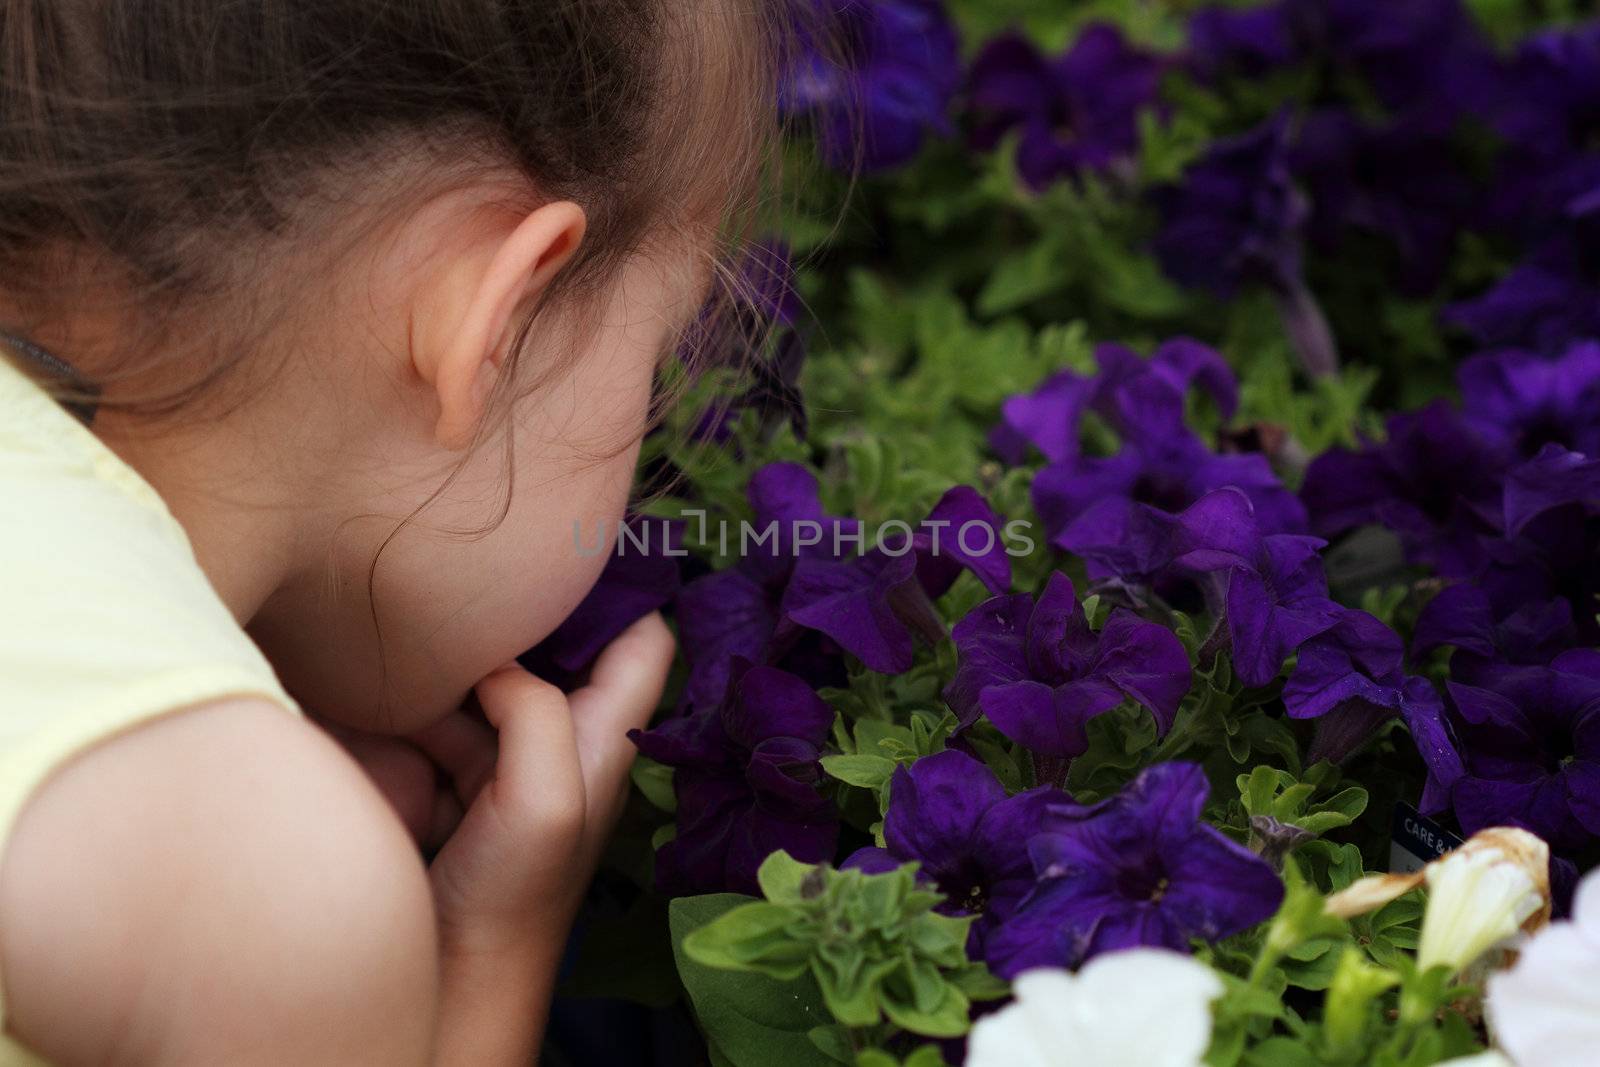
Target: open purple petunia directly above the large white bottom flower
[[1137, 869]]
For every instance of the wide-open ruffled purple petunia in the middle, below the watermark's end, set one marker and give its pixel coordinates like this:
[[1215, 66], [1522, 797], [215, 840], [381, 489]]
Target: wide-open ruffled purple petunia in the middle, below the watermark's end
[[1041, 674]]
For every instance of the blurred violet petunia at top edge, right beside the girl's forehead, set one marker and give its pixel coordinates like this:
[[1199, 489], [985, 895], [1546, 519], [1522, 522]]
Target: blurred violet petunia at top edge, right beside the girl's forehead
[[897, 70]]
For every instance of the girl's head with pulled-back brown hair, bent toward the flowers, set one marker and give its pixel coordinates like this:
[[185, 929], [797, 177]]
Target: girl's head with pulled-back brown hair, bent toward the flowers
[[375, 292]]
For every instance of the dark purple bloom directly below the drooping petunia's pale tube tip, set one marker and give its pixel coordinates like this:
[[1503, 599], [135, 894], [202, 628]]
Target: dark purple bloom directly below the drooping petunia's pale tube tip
[[1434, 482]]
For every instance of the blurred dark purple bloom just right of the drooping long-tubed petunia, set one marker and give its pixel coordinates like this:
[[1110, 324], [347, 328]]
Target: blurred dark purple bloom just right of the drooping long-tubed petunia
[[1399, 183]]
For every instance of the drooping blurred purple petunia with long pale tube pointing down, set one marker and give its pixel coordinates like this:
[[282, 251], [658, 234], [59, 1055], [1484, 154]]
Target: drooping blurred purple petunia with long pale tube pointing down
[[1236, 220]]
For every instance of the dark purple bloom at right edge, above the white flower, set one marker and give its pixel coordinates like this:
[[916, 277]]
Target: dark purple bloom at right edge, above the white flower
[[1530, 738]]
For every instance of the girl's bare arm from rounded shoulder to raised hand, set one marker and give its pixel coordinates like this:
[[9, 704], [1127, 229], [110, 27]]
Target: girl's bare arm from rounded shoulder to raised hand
[[225, 885]]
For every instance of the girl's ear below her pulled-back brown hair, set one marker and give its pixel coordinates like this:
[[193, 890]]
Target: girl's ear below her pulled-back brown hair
[[463, 364]]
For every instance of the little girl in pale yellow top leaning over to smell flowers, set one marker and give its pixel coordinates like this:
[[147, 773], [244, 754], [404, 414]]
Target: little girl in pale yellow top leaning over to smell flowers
[[322, 322]]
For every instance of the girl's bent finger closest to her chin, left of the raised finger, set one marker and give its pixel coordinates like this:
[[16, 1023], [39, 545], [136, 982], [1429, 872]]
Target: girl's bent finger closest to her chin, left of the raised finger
[[538, 772]]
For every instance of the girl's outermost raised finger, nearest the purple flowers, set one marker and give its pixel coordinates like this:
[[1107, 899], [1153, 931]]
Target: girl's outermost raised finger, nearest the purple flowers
[[623, 692]]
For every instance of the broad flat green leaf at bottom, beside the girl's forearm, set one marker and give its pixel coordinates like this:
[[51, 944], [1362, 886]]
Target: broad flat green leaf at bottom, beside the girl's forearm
[[750, 1020]]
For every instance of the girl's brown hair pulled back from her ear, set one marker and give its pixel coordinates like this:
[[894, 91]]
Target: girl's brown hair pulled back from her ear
[[169, 154]]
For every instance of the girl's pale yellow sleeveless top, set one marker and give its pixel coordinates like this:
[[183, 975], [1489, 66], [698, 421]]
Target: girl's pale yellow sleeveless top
[[106, 618]]
